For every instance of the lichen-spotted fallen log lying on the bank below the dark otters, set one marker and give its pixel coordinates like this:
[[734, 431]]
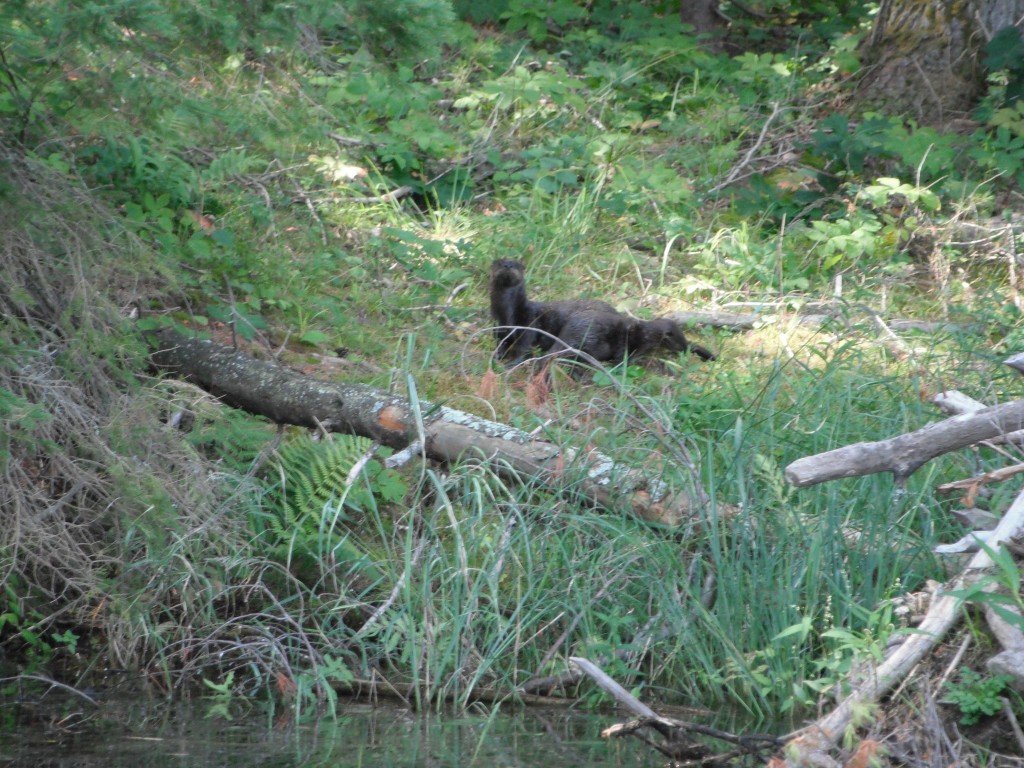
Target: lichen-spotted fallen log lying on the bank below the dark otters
[[444, 435]]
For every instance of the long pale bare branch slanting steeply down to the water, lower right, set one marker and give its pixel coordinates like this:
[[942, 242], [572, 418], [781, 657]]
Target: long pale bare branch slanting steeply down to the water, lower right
[[818, 740]]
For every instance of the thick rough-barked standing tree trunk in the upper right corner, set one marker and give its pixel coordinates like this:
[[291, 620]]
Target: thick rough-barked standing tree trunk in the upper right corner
[[924, 58]]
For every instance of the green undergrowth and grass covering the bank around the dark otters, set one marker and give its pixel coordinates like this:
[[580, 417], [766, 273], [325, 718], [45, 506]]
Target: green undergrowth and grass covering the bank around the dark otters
[[326, 191]]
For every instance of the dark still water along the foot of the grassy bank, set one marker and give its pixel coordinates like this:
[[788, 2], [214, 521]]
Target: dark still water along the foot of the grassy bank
[[64, 732]]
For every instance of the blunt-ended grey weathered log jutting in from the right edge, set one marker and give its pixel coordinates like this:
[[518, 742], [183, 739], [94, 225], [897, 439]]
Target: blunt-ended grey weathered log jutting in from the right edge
[[903, 455]]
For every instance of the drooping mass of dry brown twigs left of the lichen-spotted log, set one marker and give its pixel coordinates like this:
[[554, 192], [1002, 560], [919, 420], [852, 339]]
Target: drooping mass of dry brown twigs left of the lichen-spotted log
[[93, 481]]
